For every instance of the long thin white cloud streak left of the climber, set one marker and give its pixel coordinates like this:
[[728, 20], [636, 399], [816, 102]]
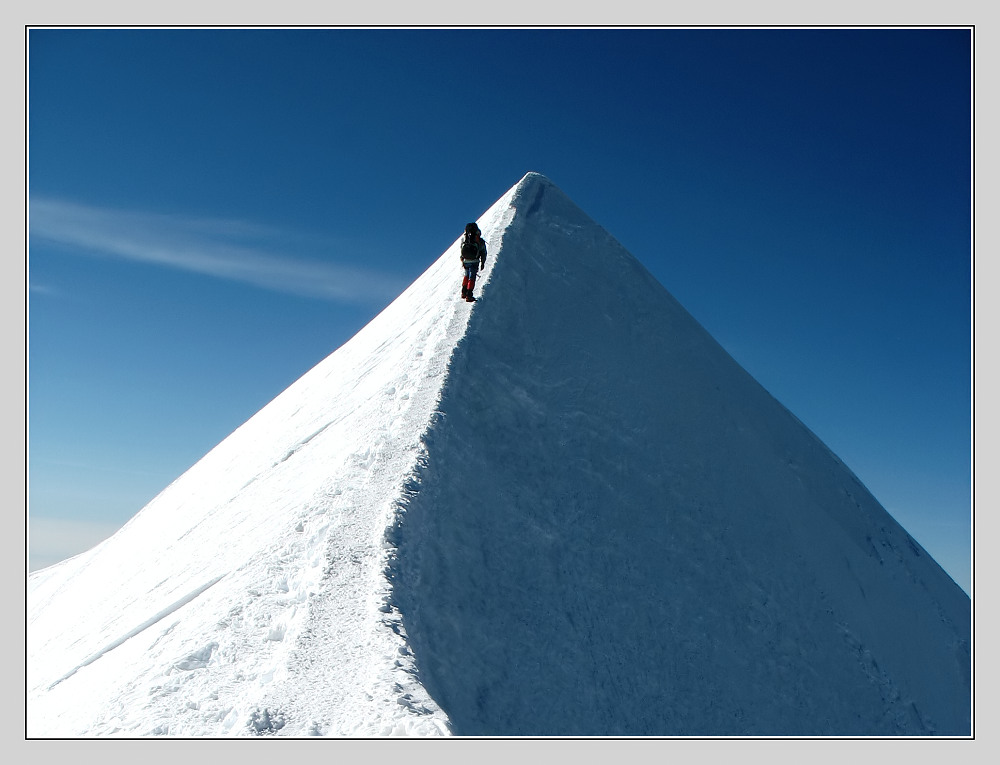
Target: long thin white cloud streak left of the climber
[[224, 249]]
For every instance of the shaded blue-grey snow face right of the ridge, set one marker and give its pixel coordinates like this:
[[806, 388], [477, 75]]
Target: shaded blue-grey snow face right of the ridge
[[617, 531]]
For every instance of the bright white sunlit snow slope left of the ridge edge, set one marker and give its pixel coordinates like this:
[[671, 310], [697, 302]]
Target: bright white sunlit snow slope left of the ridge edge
[[249, 596]]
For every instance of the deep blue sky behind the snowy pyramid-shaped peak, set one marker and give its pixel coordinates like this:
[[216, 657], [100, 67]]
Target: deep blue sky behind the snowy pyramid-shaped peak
[[212, 212]]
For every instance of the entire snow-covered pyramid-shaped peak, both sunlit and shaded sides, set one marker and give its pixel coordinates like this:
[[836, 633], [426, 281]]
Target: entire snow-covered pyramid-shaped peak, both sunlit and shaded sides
[[563, 510]]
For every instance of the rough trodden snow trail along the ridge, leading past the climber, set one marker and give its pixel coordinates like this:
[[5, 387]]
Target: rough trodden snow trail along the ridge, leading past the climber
[[381, 694]]
